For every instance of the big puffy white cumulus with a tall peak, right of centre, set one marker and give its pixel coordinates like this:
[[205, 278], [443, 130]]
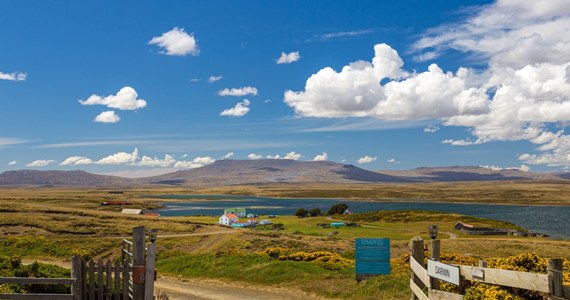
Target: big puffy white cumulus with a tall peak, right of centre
[[355, 91]]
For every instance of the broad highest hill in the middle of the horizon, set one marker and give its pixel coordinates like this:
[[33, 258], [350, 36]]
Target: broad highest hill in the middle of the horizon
[[235, 172]]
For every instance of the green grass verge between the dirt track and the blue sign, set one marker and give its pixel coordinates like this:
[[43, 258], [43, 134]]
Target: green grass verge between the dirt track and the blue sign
[[332, 279]]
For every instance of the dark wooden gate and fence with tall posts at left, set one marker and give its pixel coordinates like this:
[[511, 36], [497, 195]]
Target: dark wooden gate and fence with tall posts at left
[[131, 277]]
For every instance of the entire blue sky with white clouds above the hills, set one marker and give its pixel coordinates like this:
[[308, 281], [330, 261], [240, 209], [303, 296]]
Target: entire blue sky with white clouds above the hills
[[137, 88]]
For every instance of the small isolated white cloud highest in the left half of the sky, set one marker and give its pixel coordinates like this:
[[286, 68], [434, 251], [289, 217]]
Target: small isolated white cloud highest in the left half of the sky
[[176, 42]]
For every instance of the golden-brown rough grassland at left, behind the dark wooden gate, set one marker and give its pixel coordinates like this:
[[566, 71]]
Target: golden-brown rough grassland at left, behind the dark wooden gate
[[61, 223]]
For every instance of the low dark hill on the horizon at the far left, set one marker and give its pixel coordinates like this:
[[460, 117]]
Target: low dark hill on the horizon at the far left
[[59, 179]]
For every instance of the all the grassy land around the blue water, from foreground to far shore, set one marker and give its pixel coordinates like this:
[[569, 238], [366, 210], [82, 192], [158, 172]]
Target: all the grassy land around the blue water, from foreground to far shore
[[54, 224]]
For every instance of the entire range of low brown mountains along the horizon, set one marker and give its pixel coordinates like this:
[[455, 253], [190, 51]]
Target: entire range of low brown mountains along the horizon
[[252, 172]]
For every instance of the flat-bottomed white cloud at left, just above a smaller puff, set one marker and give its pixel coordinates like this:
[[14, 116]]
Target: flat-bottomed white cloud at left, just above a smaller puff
[[125, 99]]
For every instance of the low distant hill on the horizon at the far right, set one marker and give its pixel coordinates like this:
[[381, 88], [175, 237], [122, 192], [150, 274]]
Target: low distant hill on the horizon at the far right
[[460, 173]]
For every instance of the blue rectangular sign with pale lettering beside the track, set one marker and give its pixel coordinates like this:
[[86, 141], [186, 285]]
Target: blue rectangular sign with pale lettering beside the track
[[372, 256]]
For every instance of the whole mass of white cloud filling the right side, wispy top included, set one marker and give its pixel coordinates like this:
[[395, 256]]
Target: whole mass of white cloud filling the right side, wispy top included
[[521, 95]]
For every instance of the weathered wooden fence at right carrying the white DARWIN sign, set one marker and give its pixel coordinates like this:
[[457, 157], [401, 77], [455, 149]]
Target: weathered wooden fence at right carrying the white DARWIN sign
[[550, 285]]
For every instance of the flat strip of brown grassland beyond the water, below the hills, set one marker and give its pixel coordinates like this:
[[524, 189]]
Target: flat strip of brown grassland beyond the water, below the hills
[[489, 192]]
